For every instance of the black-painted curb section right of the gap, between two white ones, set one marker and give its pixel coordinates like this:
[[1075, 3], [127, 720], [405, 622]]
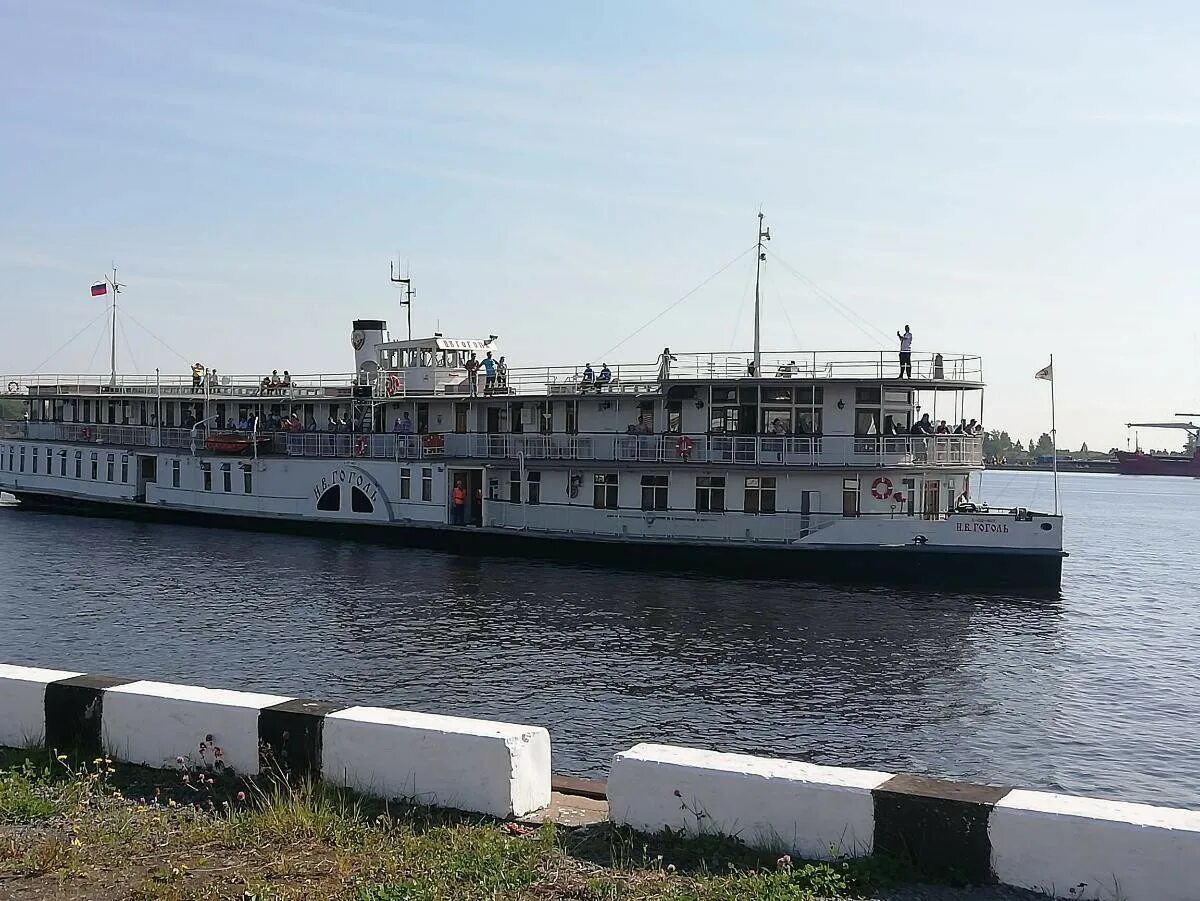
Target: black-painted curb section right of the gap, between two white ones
[[940, 826]]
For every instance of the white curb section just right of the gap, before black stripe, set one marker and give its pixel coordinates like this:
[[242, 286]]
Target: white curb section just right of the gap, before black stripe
[[815, 812]]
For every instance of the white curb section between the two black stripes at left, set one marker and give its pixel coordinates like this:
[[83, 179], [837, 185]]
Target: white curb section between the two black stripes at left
[[154, 723]]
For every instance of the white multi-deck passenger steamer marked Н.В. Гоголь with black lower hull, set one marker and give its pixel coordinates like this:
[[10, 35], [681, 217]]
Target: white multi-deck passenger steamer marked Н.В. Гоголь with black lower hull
[[802, 466]]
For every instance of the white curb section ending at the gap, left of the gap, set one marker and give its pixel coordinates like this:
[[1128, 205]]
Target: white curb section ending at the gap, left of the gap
[[484, 767]]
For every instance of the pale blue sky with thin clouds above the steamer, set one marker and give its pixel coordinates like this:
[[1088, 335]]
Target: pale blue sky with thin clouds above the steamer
[[1013, 181]]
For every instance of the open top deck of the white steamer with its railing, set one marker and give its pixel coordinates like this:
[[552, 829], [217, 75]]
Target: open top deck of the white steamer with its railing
[[931, 373]]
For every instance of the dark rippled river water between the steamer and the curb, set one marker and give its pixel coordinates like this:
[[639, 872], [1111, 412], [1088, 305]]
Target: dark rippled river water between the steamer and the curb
[[1097, 693]]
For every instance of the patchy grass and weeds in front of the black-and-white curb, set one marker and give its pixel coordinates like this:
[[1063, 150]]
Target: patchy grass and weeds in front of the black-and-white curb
[[89, 830]]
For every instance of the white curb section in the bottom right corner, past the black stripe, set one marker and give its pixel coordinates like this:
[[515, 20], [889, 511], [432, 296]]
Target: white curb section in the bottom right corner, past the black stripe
[[1135, 852]]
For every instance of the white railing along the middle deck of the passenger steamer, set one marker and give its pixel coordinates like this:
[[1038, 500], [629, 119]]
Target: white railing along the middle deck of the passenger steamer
[[825, 450]]
